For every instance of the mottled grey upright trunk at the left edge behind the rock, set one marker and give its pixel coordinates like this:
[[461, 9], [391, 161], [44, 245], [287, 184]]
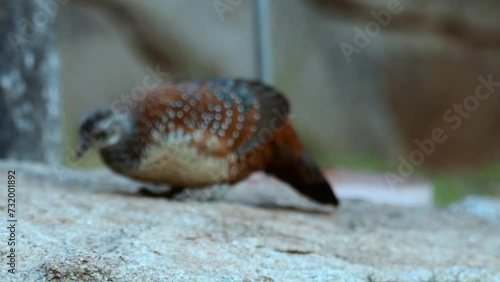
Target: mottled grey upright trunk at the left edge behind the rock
[[29, 88]]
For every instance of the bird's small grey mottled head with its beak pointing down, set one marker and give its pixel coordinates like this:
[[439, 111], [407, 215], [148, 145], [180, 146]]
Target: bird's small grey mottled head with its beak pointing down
[[100, 129]]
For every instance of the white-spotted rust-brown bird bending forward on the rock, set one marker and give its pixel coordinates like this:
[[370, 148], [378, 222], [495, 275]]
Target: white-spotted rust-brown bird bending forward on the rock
[[196, 133]]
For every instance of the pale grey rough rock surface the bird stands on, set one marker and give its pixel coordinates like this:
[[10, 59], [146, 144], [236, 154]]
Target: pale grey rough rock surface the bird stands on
[[91, 226]]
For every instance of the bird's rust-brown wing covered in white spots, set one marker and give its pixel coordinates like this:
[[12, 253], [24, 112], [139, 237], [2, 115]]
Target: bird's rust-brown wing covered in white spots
[[233, 115]]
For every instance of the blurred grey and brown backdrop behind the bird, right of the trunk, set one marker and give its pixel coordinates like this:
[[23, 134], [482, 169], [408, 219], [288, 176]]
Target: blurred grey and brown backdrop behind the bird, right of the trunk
[[368, 80]]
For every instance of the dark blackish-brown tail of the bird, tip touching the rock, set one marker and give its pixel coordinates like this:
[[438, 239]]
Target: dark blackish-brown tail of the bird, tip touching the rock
[[303, 174]]
